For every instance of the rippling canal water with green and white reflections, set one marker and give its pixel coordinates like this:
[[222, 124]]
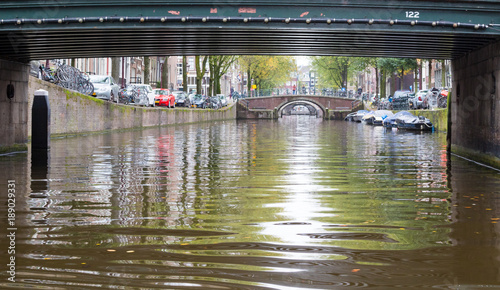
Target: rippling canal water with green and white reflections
[[296, 203]]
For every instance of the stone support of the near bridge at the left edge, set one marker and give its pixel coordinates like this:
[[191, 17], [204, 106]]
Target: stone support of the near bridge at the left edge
[[13, 106]]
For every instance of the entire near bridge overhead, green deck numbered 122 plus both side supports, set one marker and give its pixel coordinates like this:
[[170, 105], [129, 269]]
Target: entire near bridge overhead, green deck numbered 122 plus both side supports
[[466, 31]]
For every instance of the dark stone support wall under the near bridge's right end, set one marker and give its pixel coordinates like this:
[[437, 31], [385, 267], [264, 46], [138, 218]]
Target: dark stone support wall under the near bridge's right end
[[475, 105]]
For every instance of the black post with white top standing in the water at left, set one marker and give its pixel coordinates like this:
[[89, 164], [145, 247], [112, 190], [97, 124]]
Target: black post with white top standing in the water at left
[[40, 122]]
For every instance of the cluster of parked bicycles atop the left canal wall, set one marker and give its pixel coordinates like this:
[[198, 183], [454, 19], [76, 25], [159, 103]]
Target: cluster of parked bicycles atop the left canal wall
[[68, 77]]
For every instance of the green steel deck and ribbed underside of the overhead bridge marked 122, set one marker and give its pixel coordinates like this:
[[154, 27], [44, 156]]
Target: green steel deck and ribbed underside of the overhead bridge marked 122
[[32, 29]]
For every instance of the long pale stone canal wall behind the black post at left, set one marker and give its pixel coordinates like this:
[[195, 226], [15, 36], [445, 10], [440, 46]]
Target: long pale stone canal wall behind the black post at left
[[73, 113]]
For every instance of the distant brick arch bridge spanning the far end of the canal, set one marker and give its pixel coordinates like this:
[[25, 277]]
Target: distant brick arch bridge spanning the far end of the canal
[[271, 107]]
